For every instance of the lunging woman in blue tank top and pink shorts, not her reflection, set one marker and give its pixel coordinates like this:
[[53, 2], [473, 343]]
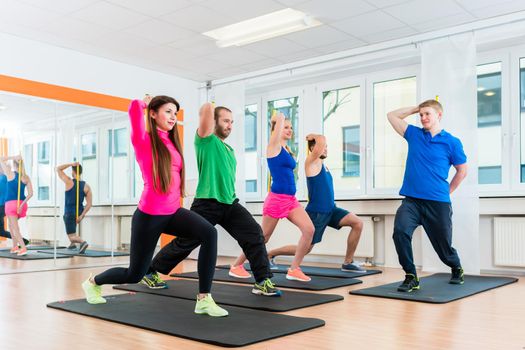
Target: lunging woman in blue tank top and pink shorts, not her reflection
[[281, 202]]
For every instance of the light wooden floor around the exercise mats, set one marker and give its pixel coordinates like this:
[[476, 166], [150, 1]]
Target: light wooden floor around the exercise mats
[[490, 320]]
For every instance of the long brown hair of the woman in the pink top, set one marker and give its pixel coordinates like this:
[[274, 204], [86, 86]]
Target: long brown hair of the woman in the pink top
[[161, 155]]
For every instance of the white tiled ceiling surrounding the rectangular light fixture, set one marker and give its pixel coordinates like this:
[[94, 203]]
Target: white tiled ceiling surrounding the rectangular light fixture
[[165, 35]]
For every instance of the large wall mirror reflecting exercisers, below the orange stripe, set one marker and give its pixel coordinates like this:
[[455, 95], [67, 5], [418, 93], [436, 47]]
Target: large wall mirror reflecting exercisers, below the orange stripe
[[68, 184]]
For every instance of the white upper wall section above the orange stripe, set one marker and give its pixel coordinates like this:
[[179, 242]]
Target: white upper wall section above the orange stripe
[[23, 58]]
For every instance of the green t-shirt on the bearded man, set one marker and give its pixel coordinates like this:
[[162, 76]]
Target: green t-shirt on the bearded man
[[216, 163]]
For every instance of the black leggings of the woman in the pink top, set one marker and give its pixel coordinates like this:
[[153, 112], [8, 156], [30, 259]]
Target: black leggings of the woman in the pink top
[[145, 232]]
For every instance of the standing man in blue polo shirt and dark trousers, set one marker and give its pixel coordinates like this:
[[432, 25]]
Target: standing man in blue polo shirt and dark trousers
[[431, 152]]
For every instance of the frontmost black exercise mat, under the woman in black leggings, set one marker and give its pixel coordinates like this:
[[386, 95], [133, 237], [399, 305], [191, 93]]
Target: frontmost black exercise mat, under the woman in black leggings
[[176, 317]]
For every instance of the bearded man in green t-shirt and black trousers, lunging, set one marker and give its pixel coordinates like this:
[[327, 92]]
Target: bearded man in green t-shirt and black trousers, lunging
[[215, 200]]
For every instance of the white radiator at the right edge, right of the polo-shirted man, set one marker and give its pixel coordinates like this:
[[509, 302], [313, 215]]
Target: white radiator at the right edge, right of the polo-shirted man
[[509, 241]]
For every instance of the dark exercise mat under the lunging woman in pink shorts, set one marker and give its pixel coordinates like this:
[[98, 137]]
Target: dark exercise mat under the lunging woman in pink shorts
[[317, 282]]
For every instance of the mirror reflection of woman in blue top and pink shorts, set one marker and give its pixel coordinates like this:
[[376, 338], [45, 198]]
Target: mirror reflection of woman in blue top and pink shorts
[[16, 199]]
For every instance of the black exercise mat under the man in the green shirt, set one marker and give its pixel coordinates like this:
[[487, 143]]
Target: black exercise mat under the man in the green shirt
[[229, 294]]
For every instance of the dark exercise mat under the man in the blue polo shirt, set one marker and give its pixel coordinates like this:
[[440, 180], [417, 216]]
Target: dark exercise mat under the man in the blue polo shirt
[[436, 289]]
